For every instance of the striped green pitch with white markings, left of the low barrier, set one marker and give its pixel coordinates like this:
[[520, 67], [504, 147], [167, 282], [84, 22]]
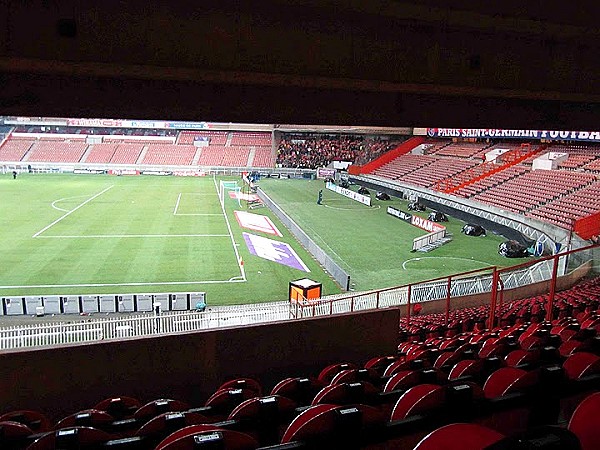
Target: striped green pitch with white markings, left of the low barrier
[[81, 234]]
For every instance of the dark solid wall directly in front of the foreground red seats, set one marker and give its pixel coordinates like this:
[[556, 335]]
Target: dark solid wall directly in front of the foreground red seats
[[189, 367]]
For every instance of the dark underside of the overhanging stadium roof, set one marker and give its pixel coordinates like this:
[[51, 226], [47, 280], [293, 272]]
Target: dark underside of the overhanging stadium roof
[[502, 63]]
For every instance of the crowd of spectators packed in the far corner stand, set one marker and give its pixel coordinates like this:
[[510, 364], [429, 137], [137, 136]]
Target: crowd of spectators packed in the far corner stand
[[311, 152]]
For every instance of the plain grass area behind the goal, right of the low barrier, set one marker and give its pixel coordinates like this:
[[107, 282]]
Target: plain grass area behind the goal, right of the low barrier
[[374, 247]]
